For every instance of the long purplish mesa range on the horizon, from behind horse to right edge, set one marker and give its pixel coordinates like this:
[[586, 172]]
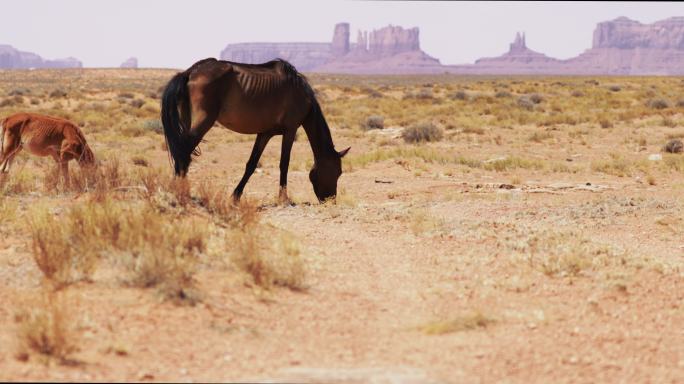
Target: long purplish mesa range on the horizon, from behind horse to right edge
[[620, 47]]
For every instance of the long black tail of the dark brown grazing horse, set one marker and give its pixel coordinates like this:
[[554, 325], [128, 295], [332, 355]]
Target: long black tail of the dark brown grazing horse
[[176, 91]]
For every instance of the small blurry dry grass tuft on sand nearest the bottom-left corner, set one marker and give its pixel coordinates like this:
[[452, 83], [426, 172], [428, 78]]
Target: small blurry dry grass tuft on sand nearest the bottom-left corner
[[45, 328]]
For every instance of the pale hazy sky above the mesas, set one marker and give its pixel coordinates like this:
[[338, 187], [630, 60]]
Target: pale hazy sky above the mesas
[[176, 33]]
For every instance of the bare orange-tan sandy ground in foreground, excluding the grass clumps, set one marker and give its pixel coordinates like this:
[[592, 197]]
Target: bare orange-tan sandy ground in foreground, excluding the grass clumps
[[374, 285]]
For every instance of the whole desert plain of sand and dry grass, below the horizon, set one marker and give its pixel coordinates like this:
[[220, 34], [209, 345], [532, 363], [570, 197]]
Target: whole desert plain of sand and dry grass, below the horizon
[[486, 229]]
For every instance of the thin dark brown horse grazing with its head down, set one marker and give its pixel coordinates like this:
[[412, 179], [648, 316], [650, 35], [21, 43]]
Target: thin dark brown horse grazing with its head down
[[264, 99]]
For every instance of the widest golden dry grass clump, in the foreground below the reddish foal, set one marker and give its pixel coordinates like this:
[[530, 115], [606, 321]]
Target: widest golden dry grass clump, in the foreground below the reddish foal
[[158, 250]]
